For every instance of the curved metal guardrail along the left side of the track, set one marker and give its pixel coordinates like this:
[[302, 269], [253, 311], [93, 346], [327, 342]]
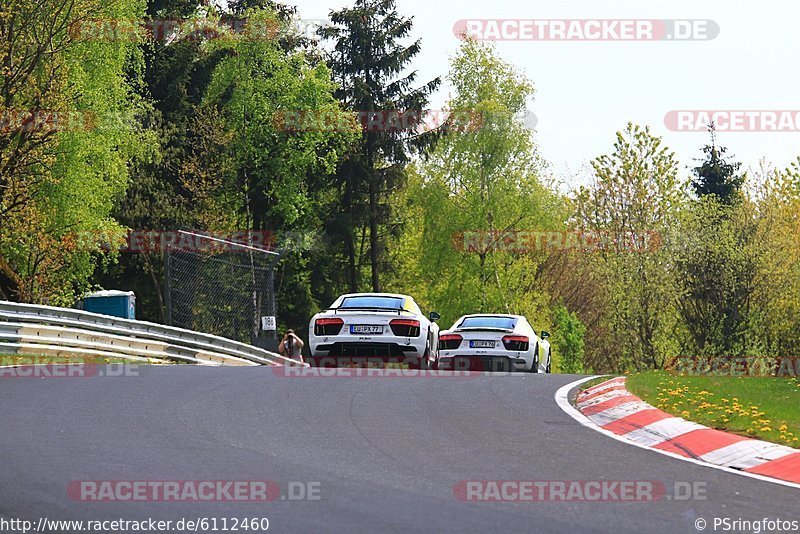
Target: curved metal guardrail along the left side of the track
[[31, 329]]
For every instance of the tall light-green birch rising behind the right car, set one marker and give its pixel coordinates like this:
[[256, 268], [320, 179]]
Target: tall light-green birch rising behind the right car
[[479, 188]]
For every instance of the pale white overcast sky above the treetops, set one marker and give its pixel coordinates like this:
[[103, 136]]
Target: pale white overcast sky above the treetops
[[586, 91]]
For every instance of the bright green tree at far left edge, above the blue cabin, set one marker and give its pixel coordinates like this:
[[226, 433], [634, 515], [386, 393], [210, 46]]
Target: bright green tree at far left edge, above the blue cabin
[[61, 172]]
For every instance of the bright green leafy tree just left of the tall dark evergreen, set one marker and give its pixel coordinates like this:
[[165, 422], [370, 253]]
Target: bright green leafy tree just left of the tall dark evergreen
[[279, 173]]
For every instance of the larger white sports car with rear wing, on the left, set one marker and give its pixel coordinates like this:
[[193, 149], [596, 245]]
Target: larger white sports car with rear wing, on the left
[[373, 329]]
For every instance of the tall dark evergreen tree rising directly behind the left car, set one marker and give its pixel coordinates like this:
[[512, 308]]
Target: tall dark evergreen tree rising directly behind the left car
[[370, 63]]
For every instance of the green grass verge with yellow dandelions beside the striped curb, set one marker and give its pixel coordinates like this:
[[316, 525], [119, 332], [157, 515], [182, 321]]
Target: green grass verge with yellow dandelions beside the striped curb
[[762, 408]]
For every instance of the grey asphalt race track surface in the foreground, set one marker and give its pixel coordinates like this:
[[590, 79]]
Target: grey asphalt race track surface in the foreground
[[386, 452]]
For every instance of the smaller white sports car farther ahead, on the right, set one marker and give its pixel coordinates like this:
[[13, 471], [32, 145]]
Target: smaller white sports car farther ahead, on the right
[[494, 343]]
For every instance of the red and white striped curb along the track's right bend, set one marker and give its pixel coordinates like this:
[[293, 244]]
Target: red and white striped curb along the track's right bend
[[611, 409]]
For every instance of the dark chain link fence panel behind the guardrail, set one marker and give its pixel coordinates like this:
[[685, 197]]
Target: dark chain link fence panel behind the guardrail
[[220, 286]]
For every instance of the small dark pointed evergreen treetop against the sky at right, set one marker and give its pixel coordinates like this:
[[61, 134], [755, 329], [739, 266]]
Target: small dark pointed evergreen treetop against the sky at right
[[717, 175]]
